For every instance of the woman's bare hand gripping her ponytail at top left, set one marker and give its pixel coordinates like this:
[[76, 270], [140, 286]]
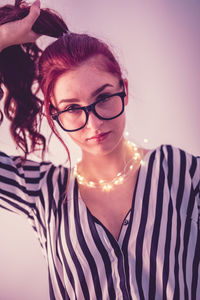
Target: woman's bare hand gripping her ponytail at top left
[[19, 32]]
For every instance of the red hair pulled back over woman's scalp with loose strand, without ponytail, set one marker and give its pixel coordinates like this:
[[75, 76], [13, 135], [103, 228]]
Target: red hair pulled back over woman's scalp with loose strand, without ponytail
[[65, 54]]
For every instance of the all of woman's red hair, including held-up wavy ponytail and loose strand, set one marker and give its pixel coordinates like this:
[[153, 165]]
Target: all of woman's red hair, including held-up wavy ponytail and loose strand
[[23, 65]]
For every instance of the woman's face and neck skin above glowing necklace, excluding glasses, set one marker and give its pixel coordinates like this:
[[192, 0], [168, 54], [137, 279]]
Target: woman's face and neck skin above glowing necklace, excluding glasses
[[79, 85]]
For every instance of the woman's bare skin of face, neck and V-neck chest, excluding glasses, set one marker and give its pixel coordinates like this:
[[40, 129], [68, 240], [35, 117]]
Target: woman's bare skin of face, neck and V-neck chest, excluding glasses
[[105, 159]]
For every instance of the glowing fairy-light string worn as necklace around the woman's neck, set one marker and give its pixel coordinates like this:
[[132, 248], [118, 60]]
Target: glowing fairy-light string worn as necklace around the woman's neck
[[117, 180]]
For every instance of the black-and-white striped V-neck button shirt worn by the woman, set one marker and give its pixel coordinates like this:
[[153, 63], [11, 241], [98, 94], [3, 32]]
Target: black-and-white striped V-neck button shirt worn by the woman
[[157, 254]]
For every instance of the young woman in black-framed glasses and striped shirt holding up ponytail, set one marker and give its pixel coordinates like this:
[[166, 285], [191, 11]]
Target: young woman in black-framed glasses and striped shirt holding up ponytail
[[124, 224]]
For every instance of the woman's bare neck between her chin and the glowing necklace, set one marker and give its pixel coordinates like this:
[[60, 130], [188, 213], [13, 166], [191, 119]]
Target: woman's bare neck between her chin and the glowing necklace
[[106, 166]]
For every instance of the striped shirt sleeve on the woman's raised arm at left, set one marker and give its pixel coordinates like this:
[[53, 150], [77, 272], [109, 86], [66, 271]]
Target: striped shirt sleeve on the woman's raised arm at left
[[20, 183]]
